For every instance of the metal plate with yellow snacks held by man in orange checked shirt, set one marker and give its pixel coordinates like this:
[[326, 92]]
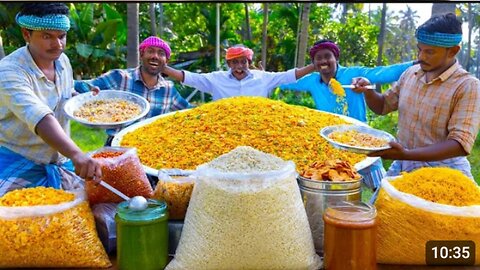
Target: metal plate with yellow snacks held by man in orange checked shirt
[[359, 139]]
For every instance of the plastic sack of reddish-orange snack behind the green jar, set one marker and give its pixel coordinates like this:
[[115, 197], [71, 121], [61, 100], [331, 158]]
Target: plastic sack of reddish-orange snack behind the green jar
[[121, 168]]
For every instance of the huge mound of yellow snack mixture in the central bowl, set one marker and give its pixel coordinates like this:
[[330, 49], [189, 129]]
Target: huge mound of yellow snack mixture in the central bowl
[[187, 139]]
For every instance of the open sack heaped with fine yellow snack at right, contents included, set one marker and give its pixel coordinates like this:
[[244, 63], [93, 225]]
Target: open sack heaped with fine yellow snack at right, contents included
[[404, 225]]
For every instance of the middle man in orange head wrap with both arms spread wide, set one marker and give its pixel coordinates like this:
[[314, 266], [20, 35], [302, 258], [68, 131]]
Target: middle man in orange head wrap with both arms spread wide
[[238, 80]]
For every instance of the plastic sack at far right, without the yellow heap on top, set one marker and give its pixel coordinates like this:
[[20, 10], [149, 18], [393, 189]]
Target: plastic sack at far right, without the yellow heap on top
[[406, 222]]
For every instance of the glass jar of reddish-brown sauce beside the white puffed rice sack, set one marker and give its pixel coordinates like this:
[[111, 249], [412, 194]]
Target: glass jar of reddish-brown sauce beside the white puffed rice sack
[[350, 236]]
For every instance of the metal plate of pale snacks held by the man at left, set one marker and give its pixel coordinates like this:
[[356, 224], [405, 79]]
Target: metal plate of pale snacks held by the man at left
[[108, 109]]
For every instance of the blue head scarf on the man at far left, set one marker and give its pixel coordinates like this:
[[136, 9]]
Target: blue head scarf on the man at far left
[[48, 22]]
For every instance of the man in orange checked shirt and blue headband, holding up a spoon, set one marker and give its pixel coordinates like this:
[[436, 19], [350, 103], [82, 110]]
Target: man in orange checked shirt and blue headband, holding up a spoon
[[438, 103]]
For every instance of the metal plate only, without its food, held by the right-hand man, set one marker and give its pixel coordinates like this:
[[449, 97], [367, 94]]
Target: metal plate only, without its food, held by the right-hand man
[[324, 132]]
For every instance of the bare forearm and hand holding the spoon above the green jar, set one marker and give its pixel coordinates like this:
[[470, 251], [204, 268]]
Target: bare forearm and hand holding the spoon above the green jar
[[52, 133]]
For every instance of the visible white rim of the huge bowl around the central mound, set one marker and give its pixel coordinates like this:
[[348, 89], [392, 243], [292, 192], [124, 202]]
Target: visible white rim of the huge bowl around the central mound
[[154, 172]]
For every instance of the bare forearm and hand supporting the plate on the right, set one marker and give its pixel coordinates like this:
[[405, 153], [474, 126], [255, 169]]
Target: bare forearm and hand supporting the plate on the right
[[439, 151]]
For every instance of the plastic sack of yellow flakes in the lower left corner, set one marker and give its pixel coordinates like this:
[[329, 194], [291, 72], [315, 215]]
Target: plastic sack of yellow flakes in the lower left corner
[[56, 235]]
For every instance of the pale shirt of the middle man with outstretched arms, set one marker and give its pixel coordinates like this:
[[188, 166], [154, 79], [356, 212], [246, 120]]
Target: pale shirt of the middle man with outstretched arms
[[222, 84]]
